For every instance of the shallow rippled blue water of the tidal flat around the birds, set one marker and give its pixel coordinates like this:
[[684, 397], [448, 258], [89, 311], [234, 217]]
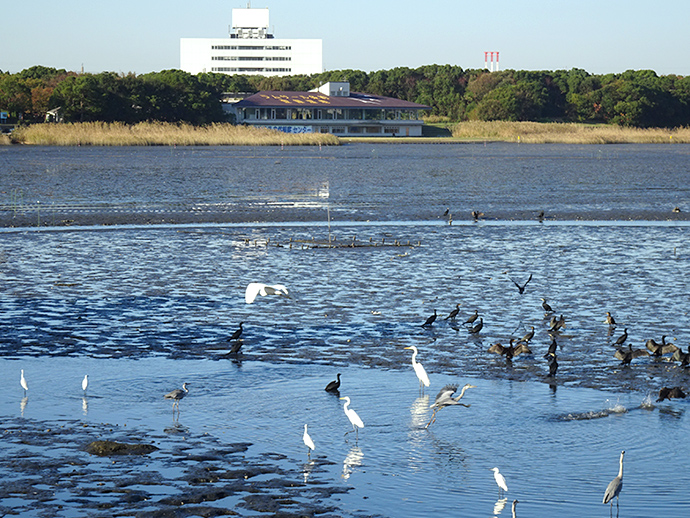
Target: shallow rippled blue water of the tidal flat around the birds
[[142, 309]]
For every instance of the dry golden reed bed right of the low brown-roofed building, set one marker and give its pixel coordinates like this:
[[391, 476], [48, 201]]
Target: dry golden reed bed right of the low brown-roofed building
[[568, 133]]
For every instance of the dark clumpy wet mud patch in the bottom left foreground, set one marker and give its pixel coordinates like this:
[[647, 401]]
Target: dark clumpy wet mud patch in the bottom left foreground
[[50, 468]]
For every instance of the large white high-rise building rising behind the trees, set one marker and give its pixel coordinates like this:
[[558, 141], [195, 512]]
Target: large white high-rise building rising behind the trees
[[251, 50]]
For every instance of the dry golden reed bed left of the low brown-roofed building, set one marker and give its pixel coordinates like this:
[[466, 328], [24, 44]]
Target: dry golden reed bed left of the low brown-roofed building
[[162, 134]]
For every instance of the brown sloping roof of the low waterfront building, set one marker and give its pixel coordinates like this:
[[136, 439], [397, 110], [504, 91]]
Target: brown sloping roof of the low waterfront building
[[317, 99]]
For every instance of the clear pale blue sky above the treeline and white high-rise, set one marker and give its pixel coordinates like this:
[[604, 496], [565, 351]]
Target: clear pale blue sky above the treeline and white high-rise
[[143, 36]]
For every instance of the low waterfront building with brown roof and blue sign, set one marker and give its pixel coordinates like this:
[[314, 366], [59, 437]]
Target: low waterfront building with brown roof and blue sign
[[331, 108]]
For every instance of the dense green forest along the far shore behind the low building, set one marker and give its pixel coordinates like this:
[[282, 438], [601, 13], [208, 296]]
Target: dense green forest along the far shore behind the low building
[[638, 98]]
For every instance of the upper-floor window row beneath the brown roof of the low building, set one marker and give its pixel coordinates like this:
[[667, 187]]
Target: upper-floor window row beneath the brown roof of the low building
[[327, 114]]
